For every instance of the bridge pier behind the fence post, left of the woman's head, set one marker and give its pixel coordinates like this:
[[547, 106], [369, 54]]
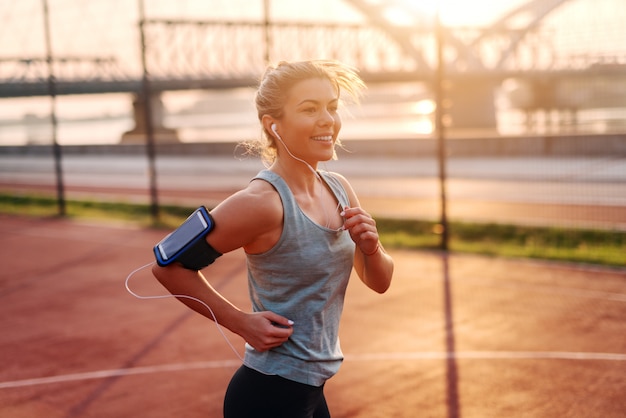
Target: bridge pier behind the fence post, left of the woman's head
[[162, 134]]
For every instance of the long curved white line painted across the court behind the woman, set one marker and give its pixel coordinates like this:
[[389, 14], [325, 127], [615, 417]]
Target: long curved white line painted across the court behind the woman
[[402, 356]]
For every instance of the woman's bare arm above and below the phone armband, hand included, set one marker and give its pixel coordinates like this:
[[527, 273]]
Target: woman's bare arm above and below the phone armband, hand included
[[248, 219]]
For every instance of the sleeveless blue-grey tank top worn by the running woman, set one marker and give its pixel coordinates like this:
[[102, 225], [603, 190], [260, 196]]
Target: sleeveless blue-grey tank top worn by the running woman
[[303, 278]]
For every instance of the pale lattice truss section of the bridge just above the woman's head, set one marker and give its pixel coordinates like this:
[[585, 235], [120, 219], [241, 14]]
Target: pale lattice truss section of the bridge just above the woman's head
[[226, 49]]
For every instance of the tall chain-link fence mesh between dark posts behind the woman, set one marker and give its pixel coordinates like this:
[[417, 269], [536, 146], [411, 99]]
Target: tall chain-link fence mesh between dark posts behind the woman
[[532, 114]]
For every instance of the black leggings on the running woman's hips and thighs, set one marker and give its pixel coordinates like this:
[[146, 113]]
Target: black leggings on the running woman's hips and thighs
[[254, 394]]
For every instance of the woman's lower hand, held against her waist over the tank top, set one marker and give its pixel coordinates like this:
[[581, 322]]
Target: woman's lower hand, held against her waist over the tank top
[[266, 330]]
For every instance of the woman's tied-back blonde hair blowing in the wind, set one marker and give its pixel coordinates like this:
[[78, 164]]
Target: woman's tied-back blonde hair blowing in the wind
[[276, 83]]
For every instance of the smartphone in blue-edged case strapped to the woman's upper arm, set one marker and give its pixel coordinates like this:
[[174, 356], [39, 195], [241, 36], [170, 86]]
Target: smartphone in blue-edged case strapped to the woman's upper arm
[[184, 238]]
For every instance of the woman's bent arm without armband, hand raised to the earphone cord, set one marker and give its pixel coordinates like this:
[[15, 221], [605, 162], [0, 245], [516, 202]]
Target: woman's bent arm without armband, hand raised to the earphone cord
[[371, 262]]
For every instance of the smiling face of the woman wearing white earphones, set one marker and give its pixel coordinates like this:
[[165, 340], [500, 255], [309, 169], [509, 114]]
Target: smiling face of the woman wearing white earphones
[[310, 122]]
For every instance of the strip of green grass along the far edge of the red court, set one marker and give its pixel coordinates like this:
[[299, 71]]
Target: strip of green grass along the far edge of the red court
[[572, 245]]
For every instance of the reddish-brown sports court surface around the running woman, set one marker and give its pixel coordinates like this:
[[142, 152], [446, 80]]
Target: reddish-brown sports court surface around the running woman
[[455, 336]]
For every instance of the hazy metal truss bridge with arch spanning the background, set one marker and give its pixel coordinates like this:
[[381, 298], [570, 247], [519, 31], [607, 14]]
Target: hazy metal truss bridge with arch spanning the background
[[199, 54]]
